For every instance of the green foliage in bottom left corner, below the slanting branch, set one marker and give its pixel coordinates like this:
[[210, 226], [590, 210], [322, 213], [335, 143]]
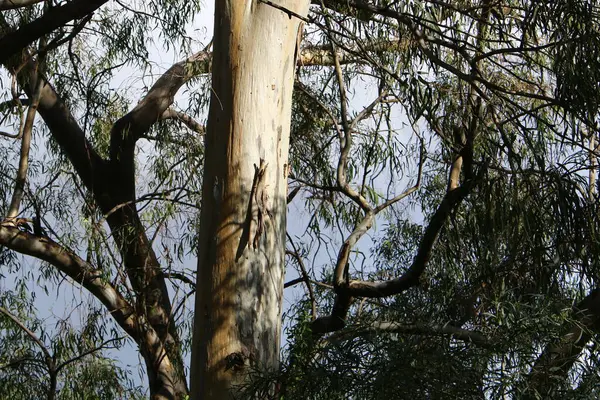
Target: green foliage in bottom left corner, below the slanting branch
[[82, 368]]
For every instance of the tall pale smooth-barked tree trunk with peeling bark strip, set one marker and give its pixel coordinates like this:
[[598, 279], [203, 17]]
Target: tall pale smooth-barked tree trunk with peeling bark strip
[[242, 234]]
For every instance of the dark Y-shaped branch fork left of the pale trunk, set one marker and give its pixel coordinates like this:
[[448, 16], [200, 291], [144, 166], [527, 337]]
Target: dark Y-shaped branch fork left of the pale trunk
[[112, 183]]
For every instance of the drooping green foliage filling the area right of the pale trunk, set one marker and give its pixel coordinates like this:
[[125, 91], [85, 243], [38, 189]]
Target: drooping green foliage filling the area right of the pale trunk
[[512, 261]]
